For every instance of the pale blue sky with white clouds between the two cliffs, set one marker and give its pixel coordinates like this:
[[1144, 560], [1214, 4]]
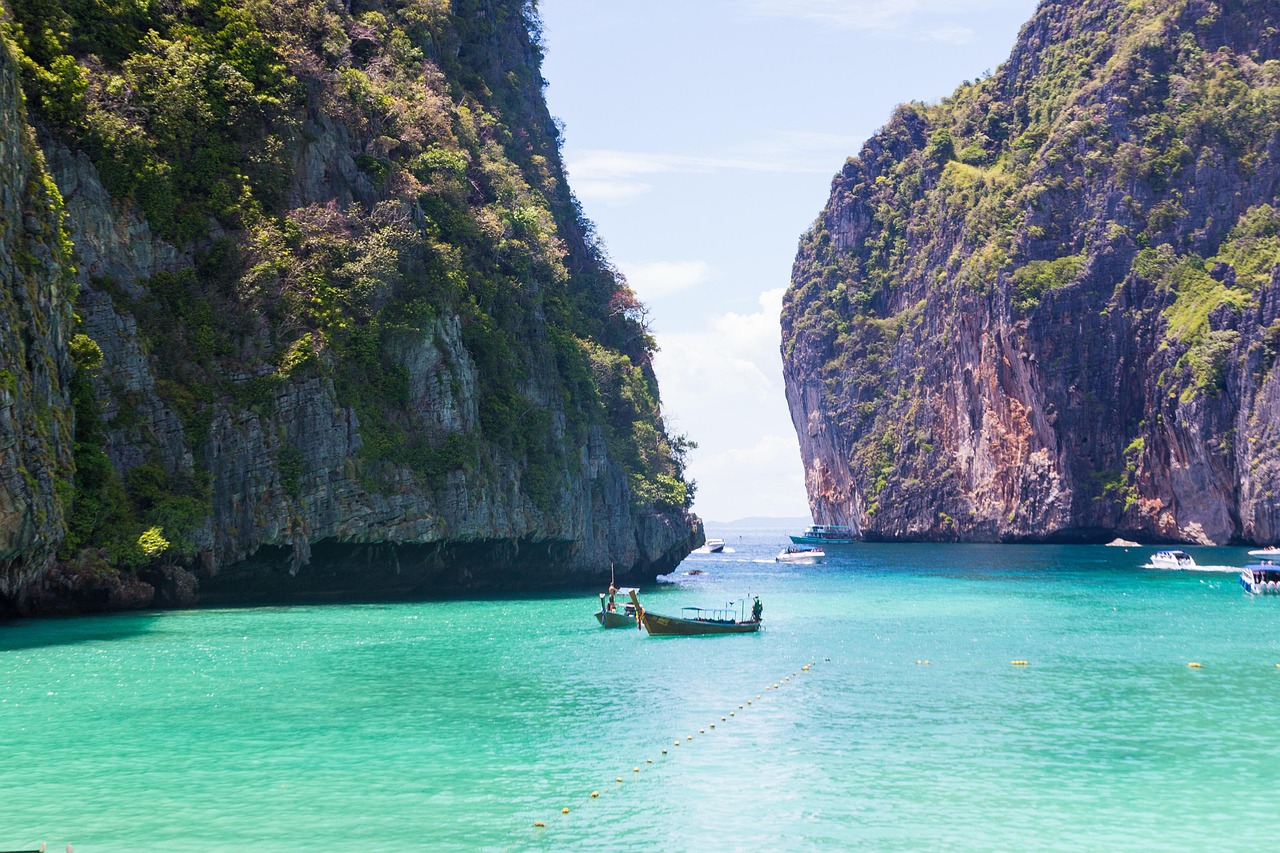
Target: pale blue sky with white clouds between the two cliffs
[[702, 138]]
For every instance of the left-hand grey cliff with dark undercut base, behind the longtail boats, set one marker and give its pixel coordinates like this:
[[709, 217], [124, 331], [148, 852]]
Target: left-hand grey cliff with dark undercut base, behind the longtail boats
[[397, 364]]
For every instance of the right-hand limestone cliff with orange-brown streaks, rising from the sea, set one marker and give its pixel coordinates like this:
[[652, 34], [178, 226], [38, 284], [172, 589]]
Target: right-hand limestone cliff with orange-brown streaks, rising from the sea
[[1049, 308]]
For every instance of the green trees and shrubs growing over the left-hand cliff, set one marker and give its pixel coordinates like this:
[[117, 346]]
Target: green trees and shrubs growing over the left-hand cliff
[[346, 184]]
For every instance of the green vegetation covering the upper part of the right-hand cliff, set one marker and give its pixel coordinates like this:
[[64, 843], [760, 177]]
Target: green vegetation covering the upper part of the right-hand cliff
[[1104, 166]]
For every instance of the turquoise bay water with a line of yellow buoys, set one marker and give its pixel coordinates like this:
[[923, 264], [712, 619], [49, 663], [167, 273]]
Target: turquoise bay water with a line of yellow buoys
[[458, 726]]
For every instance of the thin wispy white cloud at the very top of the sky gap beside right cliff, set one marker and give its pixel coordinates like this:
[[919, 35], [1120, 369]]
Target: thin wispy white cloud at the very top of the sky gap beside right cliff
[[941, 21]]
